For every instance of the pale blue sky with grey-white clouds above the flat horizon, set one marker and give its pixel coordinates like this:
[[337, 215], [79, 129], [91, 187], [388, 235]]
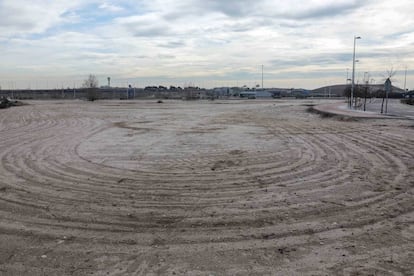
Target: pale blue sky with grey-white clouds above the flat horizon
[[208, 43]]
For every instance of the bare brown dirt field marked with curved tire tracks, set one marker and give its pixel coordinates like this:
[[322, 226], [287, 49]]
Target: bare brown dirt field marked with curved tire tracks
[[203, 188]]
